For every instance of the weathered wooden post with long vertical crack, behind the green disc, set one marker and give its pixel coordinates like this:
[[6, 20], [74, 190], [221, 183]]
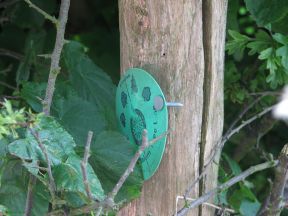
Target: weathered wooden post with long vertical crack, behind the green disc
[[165, 37]]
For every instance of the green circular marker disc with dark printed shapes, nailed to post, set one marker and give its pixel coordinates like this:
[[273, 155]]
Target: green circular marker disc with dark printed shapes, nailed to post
[[140, 104]]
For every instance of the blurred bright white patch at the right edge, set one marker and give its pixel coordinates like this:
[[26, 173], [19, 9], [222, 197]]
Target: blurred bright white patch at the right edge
[[281, 109]]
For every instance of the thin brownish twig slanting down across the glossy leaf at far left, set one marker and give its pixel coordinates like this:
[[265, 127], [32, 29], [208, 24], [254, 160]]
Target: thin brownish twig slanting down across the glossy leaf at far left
[[52, 186]]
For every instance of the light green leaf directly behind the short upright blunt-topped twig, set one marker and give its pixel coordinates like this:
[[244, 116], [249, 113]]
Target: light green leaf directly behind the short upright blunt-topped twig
[[68, 177]]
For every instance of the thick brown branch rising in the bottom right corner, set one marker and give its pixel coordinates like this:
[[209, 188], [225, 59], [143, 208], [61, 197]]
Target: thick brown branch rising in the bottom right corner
[[275, 200]]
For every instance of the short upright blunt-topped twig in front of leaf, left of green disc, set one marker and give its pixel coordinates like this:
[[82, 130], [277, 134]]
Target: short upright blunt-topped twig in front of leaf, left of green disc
[[84, 165]]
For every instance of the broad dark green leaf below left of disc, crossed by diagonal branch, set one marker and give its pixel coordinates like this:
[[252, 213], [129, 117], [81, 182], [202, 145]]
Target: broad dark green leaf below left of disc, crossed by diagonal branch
[[111, 154]]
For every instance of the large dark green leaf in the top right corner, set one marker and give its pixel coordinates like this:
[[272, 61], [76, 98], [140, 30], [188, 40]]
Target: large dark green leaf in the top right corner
[[267, 11]]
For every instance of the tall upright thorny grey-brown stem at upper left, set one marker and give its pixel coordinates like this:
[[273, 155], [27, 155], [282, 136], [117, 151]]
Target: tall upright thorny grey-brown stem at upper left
[[55, 57]]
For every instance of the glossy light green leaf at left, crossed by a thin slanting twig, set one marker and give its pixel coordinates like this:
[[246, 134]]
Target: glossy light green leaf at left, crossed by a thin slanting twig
[[59, 144]]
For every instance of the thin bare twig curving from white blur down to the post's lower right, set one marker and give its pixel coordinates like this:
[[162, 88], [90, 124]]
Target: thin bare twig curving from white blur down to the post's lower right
[[220, 145]]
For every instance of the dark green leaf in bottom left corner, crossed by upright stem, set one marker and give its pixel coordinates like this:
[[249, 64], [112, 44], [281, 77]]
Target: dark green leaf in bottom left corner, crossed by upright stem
[[13, 191]]
